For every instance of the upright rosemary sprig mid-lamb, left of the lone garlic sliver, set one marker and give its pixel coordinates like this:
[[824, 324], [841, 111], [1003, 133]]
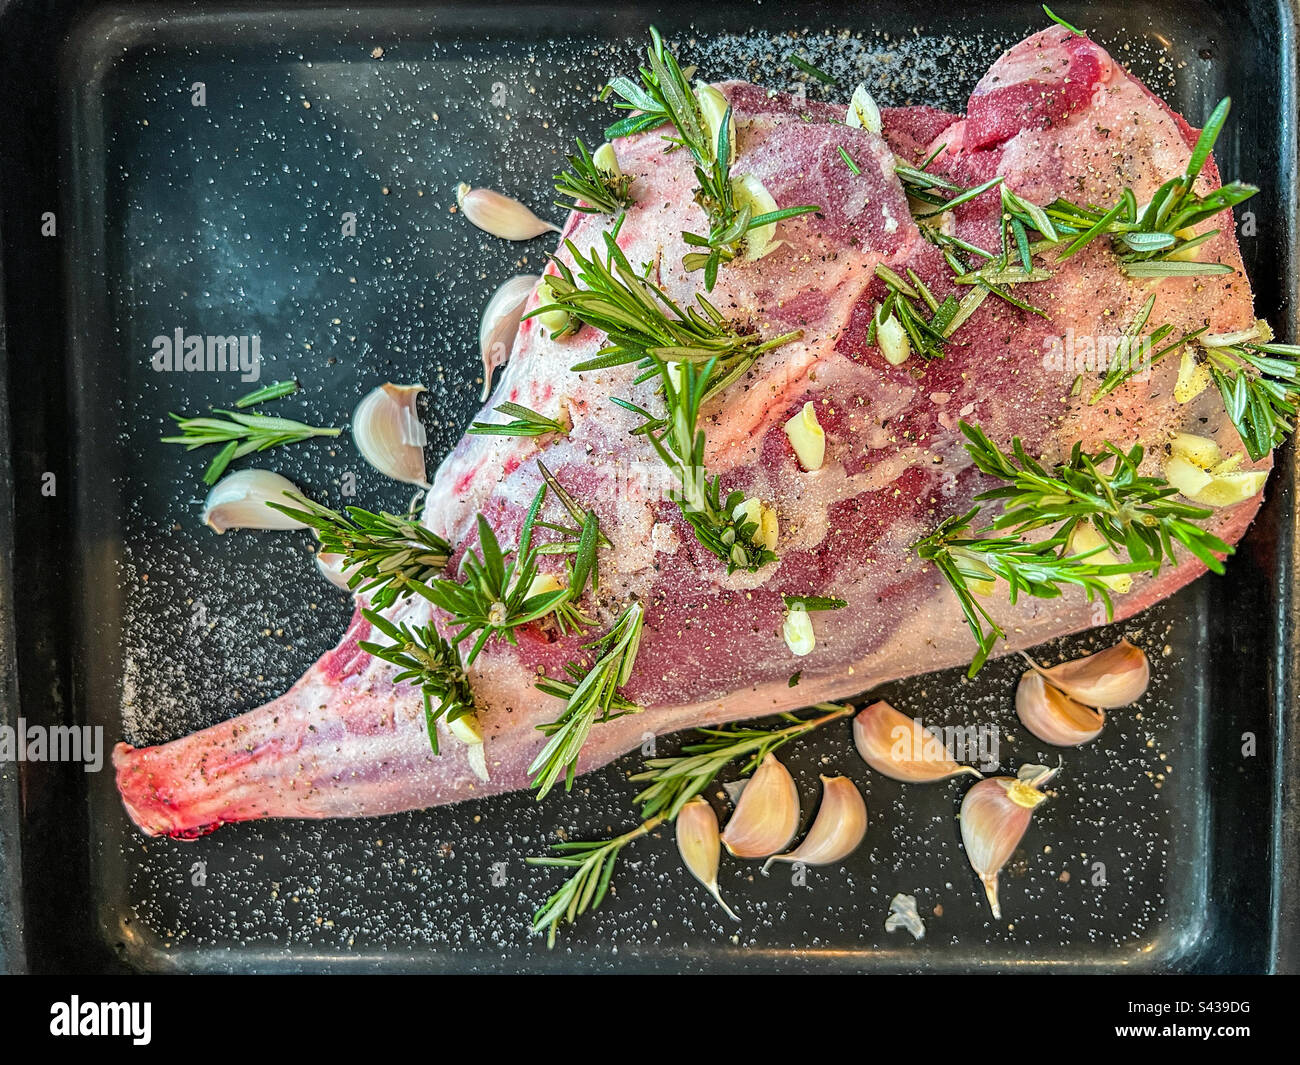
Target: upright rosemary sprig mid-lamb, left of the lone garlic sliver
[[681, 443]]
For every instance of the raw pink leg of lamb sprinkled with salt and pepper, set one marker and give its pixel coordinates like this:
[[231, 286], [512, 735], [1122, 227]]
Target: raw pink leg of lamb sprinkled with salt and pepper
[[1055, 116]]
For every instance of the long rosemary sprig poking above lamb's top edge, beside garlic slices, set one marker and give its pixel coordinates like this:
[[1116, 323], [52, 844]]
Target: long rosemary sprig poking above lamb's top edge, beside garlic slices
[[664, 97]]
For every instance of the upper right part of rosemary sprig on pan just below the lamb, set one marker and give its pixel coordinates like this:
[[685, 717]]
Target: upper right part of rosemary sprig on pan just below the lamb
[[671, 783]]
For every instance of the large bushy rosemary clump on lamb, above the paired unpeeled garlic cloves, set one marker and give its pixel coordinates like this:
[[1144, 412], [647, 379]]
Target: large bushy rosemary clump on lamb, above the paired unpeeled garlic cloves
[[1132, 513]]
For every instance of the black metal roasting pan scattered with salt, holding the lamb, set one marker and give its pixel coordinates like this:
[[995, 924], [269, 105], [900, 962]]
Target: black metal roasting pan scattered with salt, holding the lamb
[[226, 219]]
